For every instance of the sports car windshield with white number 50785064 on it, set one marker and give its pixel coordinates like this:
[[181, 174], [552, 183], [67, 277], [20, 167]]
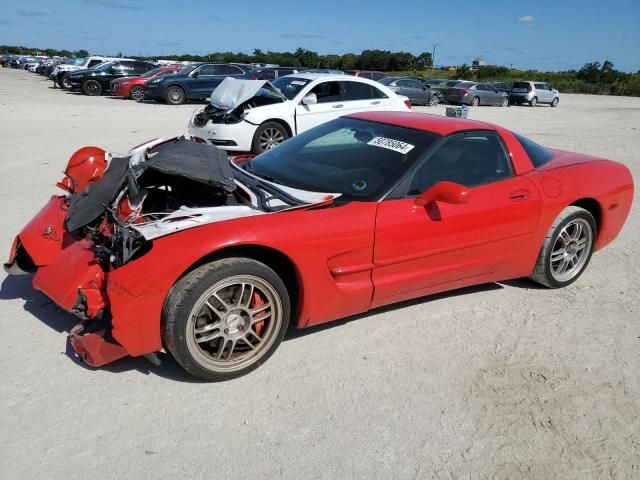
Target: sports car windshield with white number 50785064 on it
[[361, 160]]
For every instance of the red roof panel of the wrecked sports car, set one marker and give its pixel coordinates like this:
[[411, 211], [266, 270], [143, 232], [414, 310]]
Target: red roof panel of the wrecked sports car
[[424, 121]]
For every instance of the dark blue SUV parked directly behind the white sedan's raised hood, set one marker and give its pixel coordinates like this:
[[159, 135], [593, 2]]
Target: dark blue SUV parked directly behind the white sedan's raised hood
[[193, 82]]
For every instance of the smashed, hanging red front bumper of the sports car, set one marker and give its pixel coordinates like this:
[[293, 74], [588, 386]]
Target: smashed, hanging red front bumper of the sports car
[[114, 323]]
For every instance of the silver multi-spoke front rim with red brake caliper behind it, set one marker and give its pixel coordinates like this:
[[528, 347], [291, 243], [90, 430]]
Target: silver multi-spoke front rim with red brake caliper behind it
[[234, 323]]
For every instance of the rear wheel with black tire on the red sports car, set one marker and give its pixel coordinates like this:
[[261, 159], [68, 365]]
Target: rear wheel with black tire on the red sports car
[[567, 248]]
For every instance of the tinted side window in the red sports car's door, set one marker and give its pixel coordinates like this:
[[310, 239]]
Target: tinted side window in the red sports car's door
[[471, 159]]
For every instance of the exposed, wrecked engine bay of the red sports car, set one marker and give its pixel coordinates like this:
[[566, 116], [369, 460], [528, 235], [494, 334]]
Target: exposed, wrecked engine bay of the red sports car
[[160, 188]]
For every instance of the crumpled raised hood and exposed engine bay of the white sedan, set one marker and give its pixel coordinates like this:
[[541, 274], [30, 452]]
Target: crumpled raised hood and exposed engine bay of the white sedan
[[233, 99]]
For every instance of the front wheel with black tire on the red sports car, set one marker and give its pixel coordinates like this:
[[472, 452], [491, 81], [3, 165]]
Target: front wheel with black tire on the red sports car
[[226, 318]]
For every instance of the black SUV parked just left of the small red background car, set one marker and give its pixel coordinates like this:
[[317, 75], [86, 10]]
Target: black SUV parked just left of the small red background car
[[96, 80]]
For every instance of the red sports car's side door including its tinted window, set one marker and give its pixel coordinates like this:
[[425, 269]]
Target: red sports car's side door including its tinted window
[[419, 250]]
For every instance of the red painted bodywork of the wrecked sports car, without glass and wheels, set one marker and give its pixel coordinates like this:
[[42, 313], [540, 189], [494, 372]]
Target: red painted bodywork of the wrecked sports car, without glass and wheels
[[347, 258]]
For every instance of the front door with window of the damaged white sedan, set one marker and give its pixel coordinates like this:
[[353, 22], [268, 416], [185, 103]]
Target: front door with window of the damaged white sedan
[[330, 104]]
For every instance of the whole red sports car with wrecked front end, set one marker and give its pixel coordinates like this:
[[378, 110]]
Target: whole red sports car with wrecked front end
[[176, 247]]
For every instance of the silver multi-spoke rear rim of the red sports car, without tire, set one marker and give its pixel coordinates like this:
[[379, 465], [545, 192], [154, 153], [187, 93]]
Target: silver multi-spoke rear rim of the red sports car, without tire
[[570, 250]]
